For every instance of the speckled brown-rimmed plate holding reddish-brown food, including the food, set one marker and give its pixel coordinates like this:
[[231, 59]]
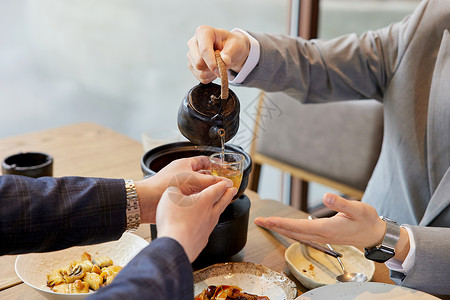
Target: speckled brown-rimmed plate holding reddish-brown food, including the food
[[242, 280]]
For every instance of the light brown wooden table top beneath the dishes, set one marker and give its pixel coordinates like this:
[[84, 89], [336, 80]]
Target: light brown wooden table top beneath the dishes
[[87, 149]]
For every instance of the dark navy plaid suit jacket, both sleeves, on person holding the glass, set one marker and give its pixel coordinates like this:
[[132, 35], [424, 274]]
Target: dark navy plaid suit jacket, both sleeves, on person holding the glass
[[48, 214]]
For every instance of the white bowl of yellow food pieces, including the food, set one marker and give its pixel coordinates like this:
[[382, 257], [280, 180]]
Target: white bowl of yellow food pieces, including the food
[[76, 272]]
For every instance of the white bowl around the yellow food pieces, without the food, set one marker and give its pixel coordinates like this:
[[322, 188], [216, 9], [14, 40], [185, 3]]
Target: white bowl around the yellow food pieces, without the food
[[33, 268]]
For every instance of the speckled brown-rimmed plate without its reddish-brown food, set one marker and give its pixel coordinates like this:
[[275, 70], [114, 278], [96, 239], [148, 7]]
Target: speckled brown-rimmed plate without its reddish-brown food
[[251, 278]]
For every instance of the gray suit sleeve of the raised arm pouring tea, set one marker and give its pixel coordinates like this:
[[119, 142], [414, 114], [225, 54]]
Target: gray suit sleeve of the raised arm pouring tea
[[345, 68]]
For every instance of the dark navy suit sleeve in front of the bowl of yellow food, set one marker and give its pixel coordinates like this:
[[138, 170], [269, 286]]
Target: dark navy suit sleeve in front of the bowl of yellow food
[[161, 271]]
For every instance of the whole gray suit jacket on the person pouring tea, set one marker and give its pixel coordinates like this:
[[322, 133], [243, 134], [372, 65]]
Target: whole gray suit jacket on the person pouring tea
[[406, 66]]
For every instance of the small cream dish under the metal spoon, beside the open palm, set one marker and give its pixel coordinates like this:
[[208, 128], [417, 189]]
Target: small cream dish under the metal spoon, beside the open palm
[[314, 268]]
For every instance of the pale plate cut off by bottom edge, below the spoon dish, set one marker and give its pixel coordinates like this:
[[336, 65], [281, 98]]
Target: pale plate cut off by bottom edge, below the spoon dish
[[364, 291]]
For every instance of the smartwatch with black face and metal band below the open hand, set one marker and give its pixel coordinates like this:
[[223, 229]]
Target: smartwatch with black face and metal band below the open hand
[[386, 249]]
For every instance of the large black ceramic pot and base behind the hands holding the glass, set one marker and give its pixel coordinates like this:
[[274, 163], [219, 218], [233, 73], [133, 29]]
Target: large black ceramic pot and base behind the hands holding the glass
[[230, 234]]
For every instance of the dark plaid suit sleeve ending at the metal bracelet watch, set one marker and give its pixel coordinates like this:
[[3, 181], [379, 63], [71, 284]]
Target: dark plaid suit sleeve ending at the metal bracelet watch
[[47, 214]]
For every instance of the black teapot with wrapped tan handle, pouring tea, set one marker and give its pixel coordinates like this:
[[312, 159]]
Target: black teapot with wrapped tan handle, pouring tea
[[210, 112]]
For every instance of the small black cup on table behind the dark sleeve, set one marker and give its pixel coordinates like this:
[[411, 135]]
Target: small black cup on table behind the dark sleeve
[[31, 164]]
